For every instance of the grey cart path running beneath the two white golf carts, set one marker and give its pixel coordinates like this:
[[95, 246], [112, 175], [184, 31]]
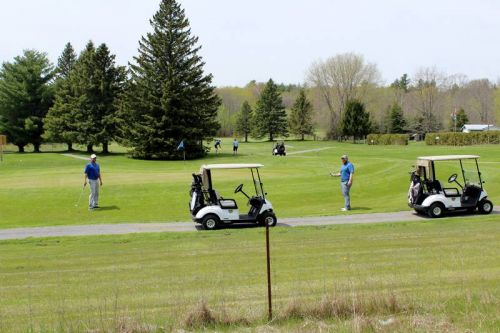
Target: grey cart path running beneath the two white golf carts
[[128, 228]]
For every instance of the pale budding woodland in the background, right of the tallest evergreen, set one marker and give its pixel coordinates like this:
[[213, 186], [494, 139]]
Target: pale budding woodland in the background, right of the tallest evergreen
[[428, 101]]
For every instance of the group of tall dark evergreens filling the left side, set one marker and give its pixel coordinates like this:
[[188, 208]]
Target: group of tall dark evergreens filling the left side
[[162, 98]]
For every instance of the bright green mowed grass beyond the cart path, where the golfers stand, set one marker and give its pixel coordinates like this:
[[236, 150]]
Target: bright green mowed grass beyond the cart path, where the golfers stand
[[42, 189]]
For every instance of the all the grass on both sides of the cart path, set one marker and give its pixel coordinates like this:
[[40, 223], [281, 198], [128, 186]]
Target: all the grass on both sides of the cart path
[[442, 275]]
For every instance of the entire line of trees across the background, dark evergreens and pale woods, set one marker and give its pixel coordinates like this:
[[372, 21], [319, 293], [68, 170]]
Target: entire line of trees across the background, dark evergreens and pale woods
[[163, 97]]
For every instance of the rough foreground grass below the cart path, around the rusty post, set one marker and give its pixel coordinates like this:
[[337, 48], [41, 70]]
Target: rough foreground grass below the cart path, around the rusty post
[[437, 276]]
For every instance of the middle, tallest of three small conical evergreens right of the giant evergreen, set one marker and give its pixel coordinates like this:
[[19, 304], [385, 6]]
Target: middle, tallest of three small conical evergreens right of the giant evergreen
[[270, 115]]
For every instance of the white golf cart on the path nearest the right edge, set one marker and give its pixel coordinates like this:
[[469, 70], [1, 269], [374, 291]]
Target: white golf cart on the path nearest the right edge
[[428, 195]]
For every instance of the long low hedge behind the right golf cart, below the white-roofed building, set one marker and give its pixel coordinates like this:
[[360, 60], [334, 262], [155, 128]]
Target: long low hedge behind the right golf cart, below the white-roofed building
[[462, 139]]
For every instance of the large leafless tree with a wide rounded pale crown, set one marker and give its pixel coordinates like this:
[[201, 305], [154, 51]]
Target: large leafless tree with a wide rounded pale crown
[[340, 79]]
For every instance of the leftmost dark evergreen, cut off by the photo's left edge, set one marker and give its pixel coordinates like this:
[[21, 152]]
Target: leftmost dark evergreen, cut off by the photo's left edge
[[26, 94]]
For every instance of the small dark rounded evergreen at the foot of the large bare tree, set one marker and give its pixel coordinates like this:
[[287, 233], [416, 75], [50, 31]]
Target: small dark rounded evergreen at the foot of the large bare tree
[[356, 121]]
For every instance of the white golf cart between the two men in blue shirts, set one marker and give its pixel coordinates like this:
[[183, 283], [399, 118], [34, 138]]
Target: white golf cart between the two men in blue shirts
[[208, 208]]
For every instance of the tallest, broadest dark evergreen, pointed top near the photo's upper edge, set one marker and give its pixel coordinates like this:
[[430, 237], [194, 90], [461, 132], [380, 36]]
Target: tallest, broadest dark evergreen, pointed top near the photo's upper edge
[[170, 98]]
